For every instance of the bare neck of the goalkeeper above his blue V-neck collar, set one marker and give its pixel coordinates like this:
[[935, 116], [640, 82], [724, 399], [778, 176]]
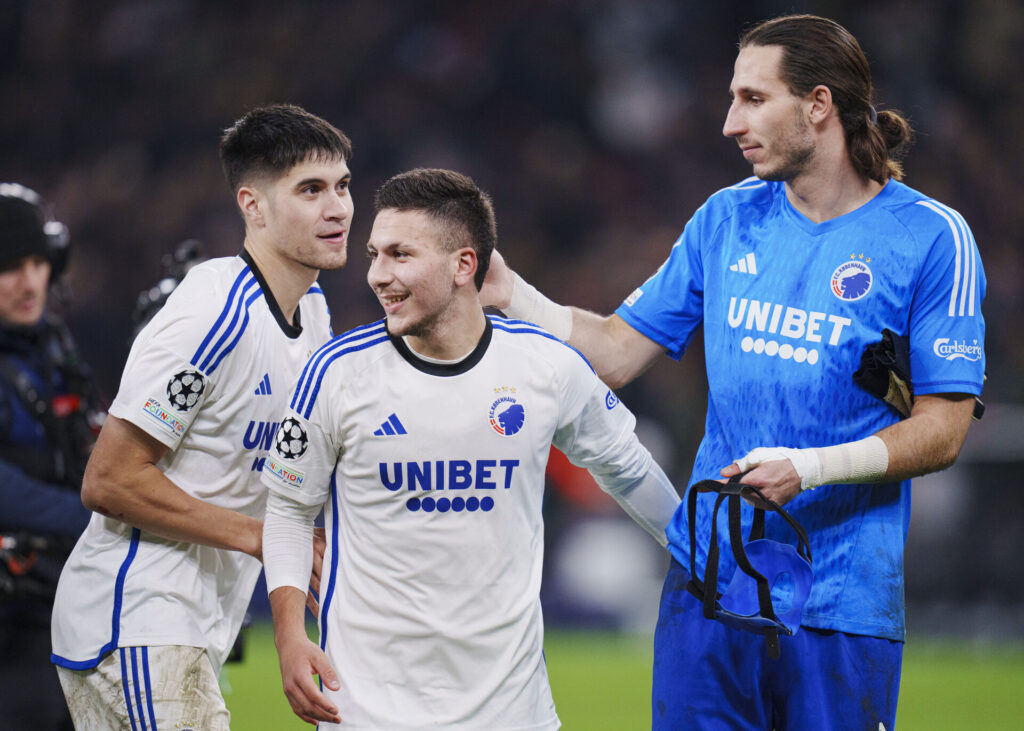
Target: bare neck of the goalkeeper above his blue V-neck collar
[[830, 188]]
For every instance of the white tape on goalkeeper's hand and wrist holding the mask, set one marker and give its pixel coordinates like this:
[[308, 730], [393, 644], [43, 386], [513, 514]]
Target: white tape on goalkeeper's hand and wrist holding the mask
[[864, 461]]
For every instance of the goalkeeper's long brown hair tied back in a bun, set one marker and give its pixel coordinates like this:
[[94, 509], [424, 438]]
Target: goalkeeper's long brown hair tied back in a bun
[[818, 51]]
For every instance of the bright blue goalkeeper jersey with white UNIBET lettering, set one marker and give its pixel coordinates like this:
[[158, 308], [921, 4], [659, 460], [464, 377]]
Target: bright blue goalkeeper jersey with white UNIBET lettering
[[788, 308]]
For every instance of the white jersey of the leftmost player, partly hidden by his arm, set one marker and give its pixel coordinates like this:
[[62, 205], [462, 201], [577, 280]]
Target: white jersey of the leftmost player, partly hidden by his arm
[[208, 377]]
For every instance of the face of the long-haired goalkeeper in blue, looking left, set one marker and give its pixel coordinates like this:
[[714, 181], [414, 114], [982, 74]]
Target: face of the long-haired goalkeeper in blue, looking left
[[766, 119]]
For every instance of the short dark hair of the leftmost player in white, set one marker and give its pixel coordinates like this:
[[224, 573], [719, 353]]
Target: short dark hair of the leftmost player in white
[[271, 141]]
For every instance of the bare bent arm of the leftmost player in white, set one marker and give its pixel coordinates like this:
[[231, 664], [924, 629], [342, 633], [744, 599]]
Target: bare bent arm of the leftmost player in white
[[122, 482]]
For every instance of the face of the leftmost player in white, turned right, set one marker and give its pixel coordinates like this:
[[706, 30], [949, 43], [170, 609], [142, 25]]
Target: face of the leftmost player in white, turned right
[[305, 216]]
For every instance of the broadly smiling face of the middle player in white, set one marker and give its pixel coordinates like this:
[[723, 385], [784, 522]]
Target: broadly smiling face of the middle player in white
[[413, 274]]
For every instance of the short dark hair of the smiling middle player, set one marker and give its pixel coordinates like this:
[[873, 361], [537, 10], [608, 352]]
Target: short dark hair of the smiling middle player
[[454, 201]]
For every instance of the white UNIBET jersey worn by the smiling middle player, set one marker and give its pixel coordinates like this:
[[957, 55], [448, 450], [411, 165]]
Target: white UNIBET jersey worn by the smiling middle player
[[432, 479]]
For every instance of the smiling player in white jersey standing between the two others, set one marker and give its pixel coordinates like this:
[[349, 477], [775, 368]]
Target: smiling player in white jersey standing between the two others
[[424, 439]]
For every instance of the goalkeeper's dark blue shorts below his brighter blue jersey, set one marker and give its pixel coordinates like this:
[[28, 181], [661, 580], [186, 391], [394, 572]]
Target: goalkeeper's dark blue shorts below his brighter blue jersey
[[709, 676]]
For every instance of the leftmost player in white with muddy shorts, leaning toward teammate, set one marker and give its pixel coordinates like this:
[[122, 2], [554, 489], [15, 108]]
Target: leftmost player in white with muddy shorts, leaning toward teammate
[[154, 594]]
